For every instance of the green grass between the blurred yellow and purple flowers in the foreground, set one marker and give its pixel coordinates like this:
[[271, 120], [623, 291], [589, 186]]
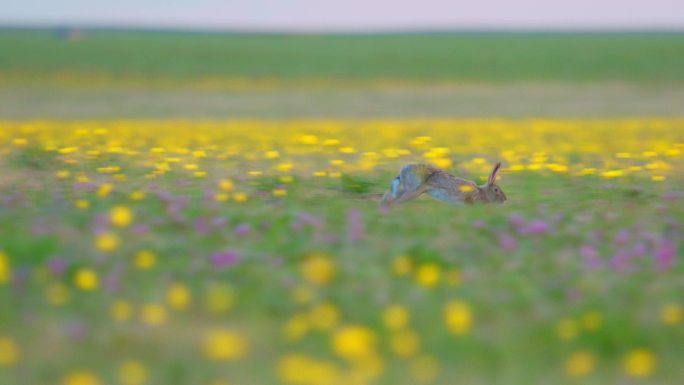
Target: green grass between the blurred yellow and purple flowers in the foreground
[[517, 296]]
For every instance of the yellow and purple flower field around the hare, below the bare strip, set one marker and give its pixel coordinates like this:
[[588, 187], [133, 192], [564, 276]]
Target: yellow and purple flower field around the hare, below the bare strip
[[254, 252]]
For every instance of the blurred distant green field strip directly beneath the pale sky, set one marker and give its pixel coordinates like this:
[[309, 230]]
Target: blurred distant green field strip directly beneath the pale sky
[[487, 57]]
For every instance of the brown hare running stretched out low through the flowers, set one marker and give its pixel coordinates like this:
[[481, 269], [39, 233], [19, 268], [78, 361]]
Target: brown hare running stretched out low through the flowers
[[416, 179]]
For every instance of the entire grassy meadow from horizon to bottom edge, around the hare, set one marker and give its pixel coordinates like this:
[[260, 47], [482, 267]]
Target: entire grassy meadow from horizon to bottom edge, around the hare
[[182, 208]]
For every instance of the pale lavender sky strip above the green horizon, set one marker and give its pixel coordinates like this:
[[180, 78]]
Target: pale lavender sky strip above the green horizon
[[349, 15]]
